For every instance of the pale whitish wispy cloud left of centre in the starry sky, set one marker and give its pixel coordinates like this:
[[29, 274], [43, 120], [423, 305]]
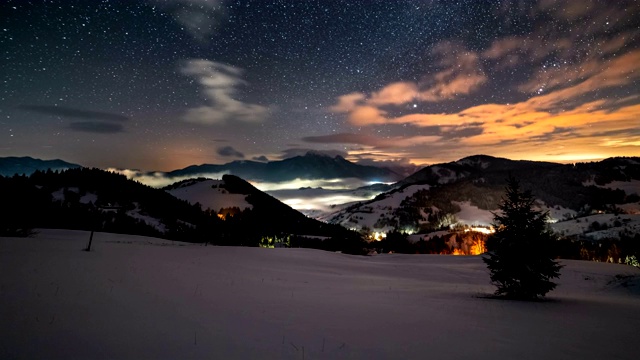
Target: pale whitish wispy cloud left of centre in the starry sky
[[219, 83]]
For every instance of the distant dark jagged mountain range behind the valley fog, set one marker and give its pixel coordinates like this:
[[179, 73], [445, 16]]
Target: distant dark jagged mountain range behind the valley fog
[[310, 166]]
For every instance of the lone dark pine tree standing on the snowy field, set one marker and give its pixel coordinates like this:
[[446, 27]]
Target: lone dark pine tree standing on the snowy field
[[520, 251]]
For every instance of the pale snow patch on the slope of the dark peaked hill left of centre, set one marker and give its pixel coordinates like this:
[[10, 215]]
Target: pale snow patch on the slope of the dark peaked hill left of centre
[[210, 195]]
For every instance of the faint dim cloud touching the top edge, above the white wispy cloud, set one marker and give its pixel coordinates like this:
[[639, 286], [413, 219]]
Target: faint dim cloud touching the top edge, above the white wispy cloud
[[199, 18]]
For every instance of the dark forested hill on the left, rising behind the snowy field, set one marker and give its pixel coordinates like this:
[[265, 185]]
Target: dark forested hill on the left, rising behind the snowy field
[[93, 199]]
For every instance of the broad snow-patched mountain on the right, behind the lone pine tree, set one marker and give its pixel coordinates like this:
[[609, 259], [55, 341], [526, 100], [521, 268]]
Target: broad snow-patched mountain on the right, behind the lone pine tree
[[468, 190]]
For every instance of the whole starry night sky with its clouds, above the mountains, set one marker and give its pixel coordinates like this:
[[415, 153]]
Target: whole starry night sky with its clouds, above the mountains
[[160, 85]]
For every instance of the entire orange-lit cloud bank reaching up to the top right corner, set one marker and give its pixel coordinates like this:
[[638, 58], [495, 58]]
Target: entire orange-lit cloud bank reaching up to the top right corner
[[557, 92]]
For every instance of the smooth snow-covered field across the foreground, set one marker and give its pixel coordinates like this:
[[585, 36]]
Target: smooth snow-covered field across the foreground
[[142, 298]]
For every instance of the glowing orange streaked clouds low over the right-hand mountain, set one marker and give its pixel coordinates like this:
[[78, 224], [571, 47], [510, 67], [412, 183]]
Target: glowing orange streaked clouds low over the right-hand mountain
[[567, 108]]
